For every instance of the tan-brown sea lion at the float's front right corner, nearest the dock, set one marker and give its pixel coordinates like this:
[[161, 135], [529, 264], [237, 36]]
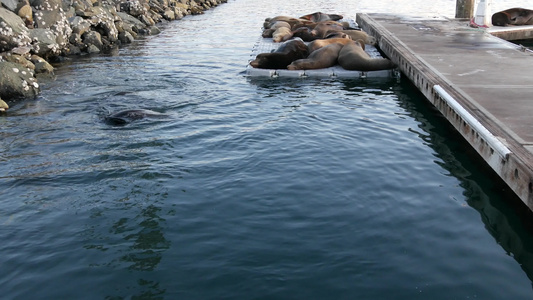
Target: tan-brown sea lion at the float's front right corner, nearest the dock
[[353, 57]]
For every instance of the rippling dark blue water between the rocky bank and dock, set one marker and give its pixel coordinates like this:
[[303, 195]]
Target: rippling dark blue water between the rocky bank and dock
[[251, 188]]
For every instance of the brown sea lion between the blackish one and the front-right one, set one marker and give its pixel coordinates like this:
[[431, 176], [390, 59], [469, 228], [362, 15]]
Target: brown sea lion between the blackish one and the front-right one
[[324, 57]]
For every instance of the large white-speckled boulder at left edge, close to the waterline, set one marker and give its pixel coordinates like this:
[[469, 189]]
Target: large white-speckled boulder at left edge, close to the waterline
[[17, 81]]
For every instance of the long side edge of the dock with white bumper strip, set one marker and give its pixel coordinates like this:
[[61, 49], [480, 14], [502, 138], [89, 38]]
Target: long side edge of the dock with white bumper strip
[[498, 149]]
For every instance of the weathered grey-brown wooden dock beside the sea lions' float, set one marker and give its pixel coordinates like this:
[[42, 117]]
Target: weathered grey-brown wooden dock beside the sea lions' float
[[480, 83]]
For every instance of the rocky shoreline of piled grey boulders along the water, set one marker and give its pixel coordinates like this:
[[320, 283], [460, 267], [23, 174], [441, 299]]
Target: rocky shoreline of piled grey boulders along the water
[[34, 33]]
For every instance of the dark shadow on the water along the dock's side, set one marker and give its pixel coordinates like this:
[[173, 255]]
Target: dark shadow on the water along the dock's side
[[505, 217]]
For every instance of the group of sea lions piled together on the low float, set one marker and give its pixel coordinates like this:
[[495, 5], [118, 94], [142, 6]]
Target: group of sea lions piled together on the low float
[[329, 42]]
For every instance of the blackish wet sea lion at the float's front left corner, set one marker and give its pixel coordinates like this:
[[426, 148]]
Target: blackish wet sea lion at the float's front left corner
[[285, 54]]
